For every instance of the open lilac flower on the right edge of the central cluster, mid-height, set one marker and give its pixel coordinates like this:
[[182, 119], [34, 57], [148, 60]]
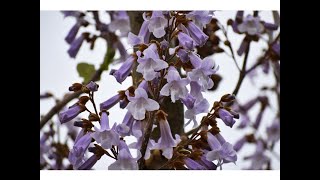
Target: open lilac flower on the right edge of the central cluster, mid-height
[[202, 72]]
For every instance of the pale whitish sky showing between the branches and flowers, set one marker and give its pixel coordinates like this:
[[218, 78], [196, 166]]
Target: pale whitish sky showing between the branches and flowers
[[58, 72]]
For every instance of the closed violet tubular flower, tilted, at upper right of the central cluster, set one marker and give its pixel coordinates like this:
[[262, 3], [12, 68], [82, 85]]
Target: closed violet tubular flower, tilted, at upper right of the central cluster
[[197, 34]]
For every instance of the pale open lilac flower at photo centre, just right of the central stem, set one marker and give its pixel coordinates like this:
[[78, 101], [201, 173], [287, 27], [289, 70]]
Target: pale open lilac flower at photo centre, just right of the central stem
[[175, 86]]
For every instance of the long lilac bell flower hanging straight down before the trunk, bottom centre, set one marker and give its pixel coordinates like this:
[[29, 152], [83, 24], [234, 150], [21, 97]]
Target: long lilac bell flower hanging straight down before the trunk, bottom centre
[[166, 141]]
